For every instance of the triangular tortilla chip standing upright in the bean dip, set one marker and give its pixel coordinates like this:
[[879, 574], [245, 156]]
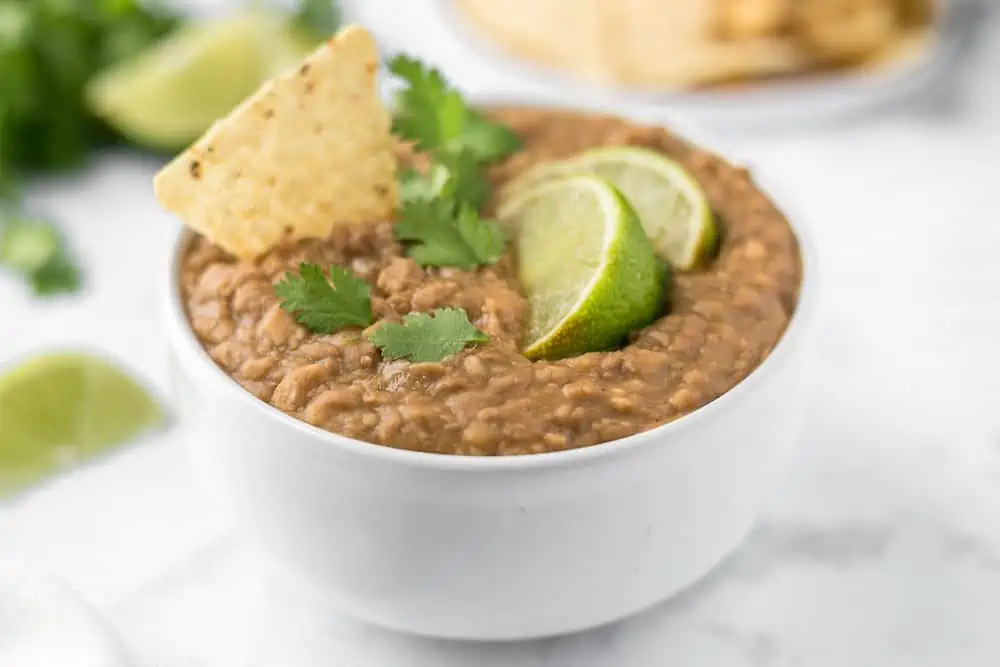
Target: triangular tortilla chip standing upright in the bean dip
[[309, 151]]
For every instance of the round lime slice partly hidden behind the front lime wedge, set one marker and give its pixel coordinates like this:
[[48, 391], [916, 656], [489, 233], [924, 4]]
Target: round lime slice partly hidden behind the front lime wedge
[[671, 205]]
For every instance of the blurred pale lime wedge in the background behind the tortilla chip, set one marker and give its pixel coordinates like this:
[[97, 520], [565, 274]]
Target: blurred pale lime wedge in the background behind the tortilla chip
[[168, 95]]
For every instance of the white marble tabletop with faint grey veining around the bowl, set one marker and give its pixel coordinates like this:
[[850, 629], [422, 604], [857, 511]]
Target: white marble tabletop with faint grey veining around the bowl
[[882, 548]]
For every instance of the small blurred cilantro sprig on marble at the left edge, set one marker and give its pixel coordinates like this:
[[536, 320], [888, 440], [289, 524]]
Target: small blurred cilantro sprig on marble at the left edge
[[35, 250]]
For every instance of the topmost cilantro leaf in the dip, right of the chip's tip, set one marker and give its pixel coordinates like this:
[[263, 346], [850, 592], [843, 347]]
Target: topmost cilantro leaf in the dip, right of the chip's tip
[[434, 115]]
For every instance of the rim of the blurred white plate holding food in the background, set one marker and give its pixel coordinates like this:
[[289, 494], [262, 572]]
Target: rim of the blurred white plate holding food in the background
[[778, 103]]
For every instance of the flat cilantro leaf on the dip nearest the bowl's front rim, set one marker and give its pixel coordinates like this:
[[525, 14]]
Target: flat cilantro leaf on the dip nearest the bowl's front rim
[[427, 336]]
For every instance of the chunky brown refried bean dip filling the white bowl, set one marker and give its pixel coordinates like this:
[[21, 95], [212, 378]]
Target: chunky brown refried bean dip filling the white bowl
[[719, 323]]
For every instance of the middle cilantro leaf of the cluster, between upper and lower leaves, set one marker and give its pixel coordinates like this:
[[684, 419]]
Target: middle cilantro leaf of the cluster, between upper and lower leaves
[[455, 176]]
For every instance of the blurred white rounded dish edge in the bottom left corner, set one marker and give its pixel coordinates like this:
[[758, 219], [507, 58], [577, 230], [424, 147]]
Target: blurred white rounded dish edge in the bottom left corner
[[44, 624]]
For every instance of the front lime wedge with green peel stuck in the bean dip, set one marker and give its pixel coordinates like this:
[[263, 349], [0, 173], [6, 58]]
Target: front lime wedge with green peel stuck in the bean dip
[[590, 272]]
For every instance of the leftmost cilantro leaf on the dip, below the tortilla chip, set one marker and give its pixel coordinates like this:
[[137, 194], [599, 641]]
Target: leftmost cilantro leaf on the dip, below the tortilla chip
[[325, 306]]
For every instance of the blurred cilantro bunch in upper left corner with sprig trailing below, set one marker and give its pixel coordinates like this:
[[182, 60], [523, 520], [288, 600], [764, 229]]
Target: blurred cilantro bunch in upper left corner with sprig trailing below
[[49, 50]]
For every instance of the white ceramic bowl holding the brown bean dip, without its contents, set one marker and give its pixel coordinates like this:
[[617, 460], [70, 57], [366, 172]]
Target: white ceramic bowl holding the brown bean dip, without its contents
[[495, 548]]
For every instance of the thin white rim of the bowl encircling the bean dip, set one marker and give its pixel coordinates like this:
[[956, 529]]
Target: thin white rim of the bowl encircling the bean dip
[[182, 339]]
